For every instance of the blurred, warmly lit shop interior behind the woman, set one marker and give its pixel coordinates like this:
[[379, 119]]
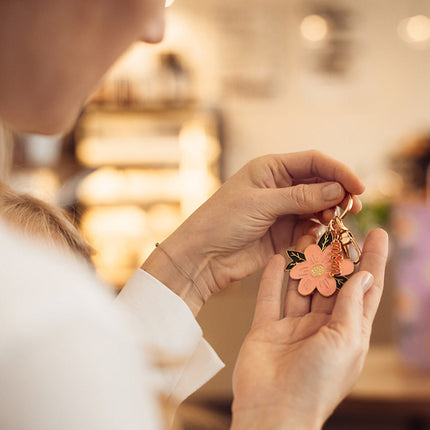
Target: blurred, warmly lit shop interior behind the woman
[[234, 80]]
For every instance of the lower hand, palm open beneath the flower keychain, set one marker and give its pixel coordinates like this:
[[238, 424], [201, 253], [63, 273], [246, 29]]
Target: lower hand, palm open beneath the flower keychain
[[292, 372]]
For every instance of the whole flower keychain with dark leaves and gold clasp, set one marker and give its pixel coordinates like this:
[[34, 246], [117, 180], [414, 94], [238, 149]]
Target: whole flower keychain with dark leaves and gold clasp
[[325, 266]]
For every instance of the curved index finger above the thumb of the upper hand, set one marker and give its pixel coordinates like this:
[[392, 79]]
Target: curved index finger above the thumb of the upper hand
[[308, 164]]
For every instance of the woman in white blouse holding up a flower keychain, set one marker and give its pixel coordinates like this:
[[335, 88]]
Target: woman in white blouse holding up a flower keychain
[[72, 357]]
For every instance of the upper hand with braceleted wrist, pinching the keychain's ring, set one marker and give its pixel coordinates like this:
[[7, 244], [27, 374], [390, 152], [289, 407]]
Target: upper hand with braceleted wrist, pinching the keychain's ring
[[250, 218]]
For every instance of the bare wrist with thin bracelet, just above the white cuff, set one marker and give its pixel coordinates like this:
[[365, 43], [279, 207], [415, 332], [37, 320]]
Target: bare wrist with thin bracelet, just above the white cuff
[[184, 271]]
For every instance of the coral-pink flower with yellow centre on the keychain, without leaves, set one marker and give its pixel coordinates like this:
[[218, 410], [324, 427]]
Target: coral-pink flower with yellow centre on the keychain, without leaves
[[315, 271]]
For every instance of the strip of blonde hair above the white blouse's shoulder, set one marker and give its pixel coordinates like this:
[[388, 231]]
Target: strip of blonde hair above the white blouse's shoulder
[[39, 219]]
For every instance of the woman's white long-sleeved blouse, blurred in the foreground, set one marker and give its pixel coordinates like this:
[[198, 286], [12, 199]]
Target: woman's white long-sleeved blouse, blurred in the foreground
[[74, 357]]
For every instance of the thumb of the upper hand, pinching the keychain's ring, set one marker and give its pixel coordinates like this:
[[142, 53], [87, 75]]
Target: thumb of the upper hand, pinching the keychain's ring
[[304, 199]]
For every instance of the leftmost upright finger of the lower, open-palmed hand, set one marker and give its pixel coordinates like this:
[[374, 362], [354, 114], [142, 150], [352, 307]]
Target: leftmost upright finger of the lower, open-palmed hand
[[268, 306]]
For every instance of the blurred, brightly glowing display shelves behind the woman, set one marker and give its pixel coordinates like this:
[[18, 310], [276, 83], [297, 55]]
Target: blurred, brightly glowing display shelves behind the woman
[[149, 169]]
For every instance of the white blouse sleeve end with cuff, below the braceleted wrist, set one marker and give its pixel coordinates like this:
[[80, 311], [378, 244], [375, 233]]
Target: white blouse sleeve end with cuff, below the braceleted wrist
[[165, 325]]
